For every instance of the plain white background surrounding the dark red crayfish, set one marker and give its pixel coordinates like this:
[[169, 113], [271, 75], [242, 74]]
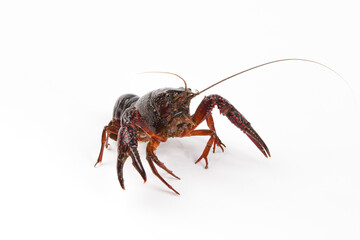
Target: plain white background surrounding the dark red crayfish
[[64, 63]]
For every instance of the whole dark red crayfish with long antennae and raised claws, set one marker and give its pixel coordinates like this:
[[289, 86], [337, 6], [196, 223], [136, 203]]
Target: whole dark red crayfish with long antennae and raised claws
[[163, 114]]
